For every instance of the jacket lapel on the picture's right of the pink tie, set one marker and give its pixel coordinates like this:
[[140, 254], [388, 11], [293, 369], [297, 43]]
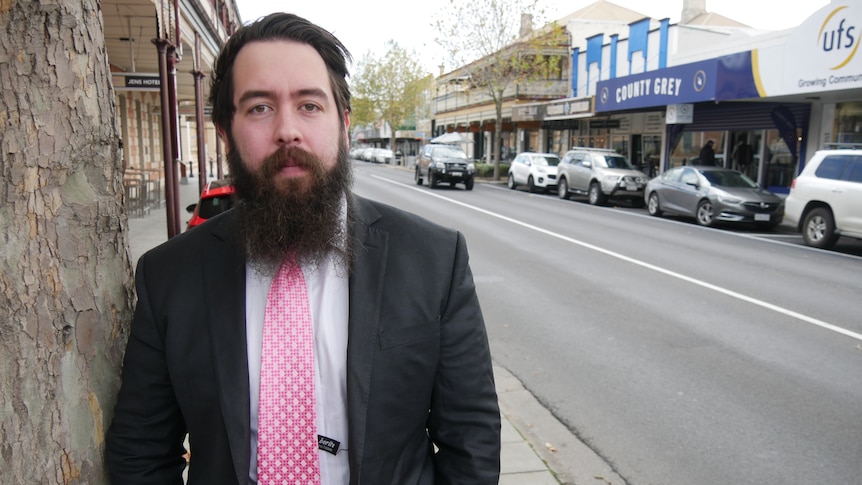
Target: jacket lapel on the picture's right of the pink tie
[[366, 295]]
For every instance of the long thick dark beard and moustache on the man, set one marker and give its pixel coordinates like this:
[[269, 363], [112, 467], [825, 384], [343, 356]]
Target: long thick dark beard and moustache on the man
[[299, 216]]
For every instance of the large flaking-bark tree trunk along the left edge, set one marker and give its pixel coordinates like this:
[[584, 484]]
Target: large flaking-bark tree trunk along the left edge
[[65, 272]]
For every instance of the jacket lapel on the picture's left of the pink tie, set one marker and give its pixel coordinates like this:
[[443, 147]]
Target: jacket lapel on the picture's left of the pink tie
[[224, 285]]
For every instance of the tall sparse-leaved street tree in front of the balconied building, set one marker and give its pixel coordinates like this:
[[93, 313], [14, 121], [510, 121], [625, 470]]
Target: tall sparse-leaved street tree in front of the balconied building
[[495, 48]]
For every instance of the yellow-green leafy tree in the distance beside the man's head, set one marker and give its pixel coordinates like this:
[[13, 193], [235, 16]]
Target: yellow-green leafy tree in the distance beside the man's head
[[391, 89]]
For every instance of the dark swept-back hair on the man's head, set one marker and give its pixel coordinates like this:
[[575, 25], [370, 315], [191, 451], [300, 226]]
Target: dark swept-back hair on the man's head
[[278, 26]]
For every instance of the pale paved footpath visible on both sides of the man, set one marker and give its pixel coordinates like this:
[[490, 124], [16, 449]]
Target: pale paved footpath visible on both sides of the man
[[537, 448]]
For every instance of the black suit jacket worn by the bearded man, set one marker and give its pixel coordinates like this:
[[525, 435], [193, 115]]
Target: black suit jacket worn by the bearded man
[[419, 371]]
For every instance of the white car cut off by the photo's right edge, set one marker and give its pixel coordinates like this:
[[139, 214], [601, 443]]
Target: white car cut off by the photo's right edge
[[825, 200]]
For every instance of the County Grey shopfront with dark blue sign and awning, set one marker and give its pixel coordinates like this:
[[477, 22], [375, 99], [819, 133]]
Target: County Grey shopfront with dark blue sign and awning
[[716, 100]]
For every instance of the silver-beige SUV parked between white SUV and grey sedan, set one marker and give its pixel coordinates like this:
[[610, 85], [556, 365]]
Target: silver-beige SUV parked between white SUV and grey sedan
[[599, 174]]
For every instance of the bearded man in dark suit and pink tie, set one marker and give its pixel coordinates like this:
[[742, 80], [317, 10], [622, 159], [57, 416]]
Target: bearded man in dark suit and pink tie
[[388, 374]]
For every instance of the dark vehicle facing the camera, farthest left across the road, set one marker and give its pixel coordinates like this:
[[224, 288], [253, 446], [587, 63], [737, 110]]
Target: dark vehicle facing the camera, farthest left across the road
[[444, 163]]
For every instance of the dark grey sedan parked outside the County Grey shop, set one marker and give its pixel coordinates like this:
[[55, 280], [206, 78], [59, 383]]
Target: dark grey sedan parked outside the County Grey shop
[[712, 195]]
